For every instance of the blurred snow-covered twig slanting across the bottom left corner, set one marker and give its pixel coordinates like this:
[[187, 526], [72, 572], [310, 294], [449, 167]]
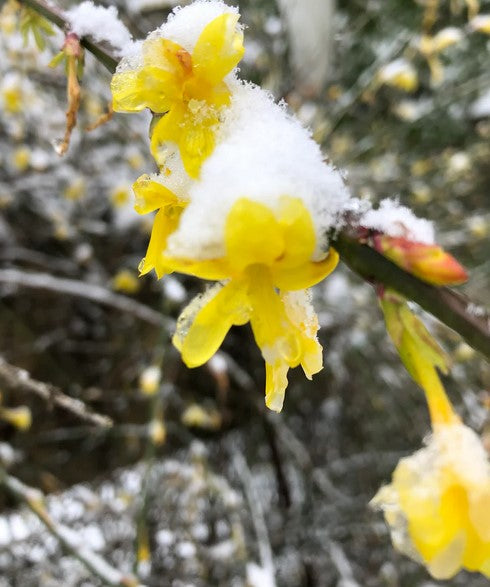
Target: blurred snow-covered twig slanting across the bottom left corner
[[34, 500]]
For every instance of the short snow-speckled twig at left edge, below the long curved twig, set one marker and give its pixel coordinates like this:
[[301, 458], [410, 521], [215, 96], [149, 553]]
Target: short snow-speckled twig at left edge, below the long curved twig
[[16, 379]]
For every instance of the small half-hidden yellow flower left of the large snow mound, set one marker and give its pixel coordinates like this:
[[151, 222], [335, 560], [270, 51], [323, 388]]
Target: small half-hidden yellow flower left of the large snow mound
[[152, 195]]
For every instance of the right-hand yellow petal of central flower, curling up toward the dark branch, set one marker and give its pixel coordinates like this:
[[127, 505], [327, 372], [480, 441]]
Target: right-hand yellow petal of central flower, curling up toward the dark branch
[[306, 275]]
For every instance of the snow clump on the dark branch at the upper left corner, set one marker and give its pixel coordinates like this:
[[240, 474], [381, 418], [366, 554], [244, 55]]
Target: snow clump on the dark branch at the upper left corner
[[100, 23]]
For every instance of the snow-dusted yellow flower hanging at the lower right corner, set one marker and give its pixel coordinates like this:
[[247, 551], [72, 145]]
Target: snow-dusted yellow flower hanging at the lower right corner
[[437, 504]]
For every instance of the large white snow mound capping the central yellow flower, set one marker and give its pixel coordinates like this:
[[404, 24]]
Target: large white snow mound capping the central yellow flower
[[261, 154]]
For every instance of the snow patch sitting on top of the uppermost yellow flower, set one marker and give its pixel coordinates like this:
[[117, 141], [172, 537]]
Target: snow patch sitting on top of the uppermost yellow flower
[[185, 25]]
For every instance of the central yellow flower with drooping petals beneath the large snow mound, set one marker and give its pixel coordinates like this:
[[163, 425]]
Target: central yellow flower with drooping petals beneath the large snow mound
[[265, 252]]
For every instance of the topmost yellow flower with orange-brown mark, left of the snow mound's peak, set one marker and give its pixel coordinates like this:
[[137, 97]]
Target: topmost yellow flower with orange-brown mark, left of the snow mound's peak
[[188, 90]]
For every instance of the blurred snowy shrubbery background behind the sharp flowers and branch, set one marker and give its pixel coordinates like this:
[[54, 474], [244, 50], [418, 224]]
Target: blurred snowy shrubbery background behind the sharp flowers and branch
[[196, 484]]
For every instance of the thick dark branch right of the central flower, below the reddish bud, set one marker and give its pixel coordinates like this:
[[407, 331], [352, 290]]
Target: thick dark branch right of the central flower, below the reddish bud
[[454, 310]]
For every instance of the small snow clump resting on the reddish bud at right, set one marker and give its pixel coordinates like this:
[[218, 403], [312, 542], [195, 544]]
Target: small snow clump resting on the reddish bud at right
[[398, 221]]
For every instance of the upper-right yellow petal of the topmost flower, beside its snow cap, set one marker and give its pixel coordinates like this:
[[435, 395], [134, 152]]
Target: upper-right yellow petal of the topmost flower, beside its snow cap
[[219, 48]]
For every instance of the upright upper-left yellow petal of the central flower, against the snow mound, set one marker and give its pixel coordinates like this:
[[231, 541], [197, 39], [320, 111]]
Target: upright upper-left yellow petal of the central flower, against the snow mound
[[252, 235]]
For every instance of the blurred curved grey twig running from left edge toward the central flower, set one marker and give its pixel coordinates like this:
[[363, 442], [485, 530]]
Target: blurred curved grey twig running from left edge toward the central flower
[[82, 289]]
